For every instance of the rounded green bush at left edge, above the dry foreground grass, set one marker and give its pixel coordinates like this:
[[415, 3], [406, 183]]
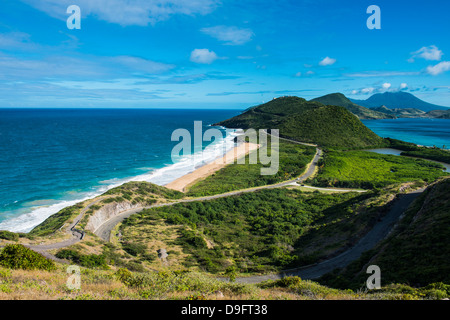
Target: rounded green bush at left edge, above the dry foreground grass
[[17, 256]]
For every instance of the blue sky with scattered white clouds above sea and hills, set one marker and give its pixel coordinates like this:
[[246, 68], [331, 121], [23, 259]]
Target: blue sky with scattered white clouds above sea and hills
[[219, 54]]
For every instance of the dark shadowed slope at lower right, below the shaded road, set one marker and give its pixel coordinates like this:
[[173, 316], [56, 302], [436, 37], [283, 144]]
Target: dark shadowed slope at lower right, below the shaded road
[[415, 253]]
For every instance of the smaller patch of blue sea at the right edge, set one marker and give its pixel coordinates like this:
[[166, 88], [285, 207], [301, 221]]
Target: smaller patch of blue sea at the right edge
[[427, 132]]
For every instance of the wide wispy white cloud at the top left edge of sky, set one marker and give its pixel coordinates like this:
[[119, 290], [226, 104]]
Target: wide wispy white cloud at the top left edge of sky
[[126, 12]]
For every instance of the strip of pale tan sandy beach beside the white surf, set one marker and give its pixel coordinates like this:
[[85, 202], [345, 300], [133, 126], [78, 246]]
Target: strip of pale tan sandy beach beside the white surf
[[187, 180]]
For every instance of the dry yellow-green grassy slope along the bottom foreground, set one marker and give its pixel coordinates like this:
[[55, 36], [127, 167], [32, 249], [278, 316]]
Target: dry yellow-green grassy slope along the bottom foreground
[[120, 285]]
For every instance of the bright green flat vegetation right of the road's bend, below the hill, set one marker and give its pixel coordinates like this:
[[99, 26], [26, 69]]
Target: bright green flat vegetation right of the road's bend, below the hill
[[363, 169]]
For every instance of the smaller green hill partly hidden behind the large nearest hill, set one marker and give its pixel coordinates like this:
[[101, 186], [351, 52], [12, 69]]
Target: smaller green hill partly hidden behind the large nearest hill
[[338, 99]]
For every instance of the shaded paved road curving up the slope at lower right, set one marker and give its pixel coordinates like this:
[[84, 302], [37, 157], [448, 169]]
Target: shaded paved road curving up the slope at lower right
[[369, 241]]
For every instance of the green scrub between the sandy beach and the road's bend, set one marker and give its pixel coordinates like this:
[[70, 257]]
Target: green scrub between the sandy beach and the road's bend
[[293, 159]]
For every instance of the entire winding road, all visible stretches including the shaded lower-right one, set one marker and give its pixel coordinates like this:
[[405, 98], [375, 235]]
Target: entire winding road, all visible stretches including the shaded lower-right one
[[376, 234]]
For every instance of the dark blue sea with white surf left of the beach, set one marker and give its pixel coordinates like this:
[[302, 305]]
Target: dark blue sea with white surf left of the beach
[[52, 158]]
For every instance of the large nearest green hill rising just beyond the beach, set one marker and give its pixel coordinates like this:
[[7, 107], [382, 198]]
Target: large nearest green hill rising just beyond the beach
[[307, 121]]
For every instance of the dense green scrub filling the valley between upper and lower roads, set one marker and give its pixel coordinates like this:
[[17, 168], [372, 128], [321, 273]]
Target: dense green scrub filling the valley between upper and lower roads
[[259, 231]]
